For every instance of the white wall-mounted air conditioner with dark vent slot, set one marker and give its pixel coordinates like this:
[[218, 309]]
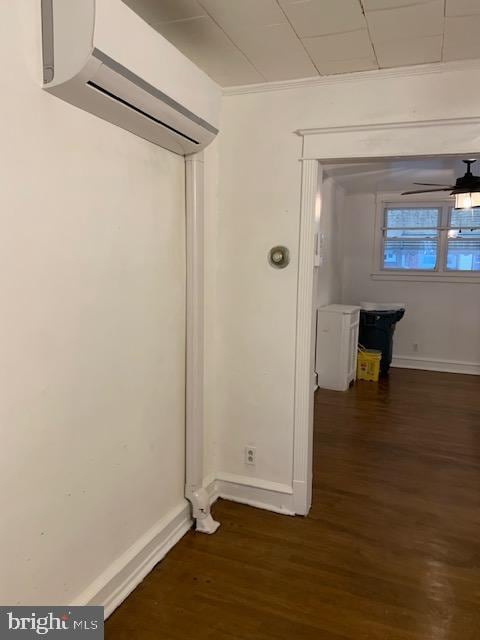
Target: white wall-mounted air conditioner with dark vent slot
[[100, 56]]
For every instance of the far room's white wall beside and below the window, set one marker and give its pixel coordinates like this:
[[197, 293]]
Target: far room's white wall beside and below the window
[[442, 318]]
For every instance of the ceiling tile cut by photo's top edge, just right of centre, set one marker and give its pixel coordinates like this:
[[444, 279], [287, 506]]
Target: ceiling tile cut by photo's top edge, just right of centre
[[320, 17]]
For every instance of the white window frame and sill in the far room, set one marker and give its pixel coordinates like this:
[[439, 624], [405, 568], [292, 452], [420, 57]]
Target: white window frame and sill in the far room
[[440, 273]]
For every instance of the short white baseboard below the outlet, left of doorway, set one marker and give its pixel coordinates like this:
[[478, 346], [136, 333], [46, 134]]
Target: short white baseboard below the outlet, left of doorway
[[263, 494]]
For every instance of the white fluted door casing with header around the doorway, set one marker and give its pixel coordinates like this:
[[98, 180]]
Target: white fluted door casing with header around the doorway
[[398, 140]]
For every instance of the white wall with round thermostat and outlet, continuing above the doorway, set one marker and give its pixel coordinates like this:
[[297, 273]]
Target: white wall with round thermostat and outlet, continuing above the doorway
[[258, 205]]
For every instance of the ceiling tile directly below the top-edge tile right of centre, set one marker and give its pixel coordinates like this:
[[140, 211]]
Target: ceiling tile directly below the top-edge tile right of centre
[[339, 47]]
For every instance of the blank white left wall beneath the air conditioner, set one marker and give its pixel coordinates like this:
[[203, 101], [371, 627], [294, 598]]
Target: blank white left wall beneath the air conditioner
[[92, 336]]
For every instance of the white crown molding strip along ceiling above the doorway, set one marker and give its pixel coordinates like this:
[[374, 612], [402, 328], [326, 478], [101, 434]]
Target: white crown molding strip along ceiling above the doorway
[[359, 76]]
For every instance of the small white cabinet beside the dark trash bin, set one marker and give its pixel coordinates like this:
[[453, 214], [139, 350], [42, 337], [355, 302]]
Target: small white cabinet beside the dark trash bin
[[337, 340]]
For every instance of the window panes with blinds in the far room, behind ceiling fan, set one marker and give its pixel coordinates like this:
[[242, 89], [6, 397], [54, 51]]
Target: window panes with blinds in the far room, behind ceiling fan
[[433, 238]]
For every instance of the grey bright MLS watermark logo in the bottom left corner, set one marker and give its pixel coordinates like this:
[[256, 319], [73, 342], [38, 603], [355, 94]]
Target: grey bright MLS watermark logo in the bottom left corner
[[23, 623]]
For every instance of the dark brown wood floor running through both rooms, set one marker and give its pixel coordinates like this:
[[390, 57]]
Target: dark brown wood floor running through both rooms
[[390, 551]]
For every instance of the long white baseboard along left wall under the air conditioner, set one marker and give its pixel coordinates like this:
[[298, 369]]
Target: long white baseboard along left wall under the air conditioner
[[112, 587]]
